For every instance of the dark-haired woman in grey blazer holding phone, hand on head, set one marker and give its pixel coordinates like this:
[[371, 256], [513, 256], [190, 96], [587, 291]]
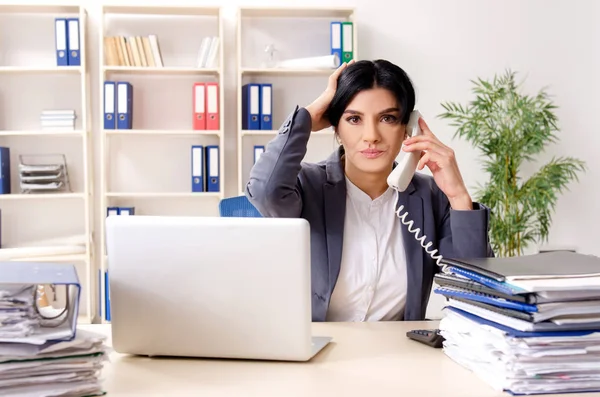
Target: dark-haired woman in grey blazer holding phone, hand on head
[[366, 266]]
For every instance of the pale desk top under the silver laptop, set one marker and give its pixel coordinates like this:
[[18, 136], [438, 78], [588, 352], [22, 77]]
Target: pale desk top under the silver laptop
[[365, 359]]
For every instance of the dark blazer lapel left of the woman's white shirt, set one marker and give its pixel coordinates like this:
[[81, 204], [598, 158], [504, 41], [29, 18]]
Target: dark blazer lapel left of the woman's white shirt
[[335, 211]]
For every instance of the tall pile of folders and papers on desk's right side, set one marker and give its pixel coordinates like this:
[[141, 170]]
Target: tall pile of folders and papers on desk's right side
[[525, 325]]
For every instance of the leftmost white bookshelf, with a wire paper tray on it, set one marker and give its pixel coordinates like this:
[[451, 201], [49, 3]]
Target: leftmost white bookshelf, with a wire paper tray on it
[[48, 225]]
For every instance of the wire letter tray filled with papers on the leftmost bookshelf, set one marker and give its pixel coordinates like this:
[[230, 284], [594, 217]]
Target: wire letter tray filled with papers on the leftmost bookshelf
[[43, 173]]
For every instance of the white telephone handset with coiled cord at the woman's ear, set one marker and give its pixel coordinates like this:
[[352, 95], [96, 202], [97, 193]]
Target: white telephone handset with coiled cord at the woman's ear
[[401, 176]]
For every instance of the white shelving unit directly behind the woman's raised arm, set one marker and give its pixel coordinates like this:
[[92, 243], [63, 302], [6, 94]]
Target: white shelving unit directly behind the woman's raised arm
[[295, 32]]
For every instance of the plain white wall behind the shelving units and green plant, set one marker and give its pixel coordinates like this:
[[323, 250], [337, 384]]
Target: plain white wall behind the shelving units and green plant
[[444, 44]]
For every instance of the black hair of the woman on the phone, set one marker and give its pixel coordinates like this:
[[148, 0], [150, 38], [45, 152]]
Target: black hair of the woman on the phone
[[364, 75]]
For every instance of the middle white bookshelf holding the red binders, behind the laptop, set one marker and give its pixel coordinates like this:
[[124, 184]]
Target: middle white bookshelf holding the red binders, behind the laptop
[[140, 166]]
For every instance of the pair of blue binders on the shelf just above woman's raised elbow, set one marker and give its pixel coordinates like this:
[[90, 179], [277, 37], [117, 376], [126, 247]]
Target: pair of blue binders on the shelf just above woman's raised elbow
[[257, 106]]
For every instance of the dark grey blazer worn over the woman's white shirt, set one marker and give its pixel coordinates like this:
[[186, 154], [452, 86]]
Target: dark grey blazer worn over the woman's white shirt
[[281, 185]]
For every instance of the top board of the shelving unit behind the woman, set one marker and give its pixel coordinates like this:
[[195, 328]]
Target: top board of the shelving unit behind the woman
[[295, 12]]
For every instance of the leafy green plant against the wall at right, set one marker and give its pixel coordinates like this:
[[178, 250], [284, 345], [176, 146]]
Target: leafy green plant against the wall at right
[[510, 128]]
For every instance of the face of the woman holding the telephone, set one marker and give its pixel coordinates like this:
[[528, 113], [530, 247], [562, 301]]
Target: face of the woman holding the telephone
[[371, 131]]
